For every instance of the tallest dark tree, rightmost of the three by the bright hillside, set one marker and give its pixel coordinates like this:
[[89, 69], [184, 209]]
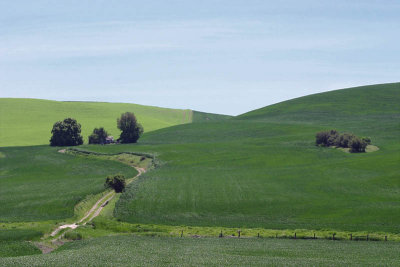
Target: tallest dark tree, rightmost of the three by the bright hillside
[[131, 129]]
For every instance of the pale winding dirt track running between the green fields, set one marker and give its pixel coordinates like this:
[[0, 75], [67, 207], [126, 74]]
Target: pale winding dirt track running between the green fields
[[96, 209]]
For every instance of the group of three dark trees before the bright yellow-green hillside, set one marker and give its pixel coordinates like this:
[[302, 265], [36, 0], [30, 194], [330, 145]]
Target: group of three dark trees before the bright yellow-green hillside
[[68, 132]]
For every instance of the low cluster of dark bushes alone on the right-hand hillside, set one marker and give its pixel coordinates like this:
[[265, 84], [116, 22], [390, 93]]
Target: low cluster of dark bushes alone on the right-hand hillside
[[346, 140]]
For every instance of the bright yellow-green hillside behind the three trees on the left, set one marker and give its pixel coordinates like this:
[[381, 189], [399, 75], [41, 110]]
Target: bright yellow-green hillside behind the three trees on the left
[[25, 122]]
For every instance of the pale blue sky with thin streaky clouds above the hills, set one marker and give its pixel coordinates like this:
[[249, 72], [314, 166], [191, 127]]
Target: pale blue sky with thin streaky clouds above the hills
[[221, 56]]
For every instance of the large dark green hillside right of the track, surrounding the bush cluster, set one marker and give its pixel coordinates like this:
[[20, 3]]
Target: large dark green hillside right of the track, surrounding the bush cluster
[[258, 171]]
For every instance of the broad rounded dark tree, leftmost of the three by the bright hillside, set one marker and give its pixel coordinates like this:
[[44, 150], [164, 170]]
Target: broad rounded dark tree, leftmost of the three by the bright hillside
[[66, 133]]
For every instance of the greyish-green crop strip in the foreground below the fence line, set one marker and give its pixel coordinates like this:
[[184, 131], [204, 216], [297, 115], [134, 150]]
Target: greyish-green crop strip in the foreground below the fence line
[[161, 251]]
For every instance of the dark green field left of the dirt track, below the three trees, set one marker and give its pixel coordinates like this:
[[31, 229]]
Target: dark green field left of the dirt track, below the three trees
[[39, 184]]
